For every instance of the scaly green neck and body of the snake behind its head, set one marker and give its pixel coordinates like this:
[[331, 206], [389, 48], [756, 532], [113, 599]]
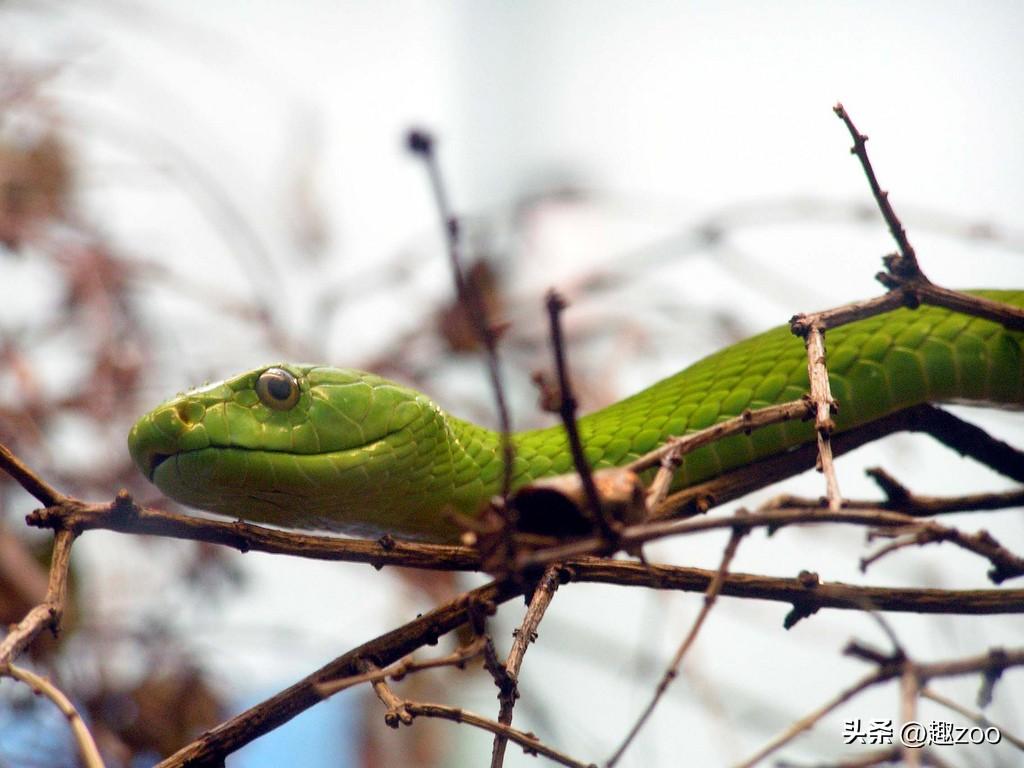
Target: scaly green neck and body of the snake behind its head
[[877, 366]]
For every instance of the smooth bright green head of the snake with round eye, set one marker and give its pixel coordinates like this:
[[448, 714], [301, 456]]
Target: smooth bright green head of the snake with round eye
[[296, 446]]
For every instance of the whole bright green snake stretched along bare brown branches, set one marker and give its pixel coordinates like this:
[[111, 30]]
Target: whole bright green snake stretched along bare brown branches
[[312, 447]]
